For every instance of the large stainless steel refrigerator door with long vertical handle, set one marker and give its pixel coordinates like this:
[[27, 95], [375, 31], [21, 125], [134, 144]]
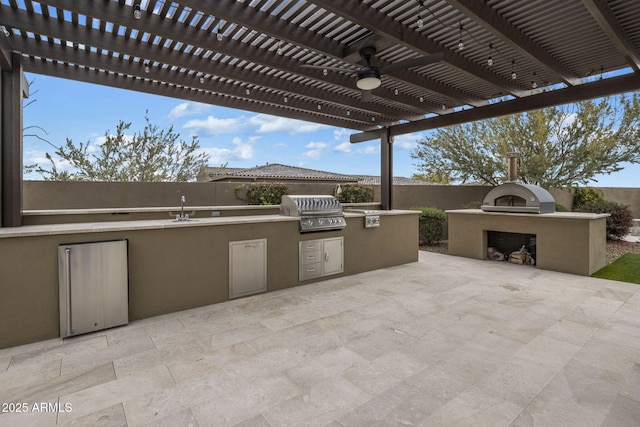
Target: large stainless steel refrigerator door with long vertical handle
[[93, 286]]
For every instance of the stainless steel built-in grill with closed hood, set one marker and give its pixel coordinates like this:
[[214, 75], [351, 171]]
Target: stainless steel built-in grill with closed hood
[[317, 213]]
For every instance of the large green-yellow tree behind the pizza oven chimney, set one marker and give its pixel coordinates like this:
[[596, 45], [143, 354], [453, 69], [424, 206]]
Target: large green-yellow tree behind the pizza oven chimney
[[559, 146]]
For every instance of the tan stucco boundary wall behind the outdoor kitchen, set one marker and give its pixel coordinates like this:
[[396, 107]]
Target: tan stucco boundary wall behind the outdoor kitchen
[[84, 195]]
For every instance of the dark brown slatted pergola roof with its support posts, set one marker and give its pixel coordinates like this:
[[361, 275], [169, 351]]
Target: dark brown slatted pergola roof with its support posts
[[432, 63]]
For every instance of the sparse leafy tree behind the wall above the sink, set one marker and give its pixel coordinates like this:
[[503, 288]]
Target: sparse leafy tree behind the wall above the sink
[[151, 155]]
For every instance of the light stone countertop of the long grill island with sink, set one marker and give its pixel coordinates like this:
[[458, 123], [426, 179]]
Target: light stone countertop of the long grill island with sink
[[101, 227]]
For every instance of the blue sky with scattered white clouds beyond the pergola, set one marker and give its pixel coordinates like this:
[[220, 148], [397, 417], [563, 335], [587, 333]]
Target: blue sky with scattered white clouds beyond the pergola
[[83, 112]]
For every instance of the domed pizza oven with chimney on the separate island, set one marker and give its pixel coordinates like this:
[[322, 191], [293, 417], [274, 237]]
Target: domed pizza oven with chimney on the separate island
[[514, 196]]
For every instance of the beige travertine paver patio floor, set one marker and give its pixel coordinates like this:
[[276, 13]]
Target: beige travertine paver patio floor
[[444, 341]]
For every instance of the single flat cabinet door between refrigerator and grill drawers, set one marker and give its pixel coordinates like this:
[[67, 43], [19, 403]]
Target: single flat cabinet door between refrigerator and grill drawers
[[247, 267]]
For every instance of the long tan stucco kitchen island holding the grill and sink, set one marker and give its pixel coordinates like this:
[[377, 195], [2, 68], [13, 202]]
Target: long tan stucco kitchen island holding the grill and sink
[[177, 265]]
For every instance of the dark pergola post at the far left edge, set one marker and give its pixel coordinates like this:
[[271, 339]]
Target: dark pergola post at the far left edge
[[12, 89]]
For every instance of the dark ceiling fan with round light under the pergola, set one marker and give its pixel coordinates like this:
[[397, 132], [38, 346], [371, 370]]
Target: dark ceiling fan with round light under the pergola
[[369, 76]]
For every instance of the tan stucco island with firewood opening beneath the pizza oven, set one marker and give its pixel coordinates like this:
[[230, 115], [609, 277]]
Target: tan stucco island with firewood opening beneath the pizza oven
[[569, 242]]
